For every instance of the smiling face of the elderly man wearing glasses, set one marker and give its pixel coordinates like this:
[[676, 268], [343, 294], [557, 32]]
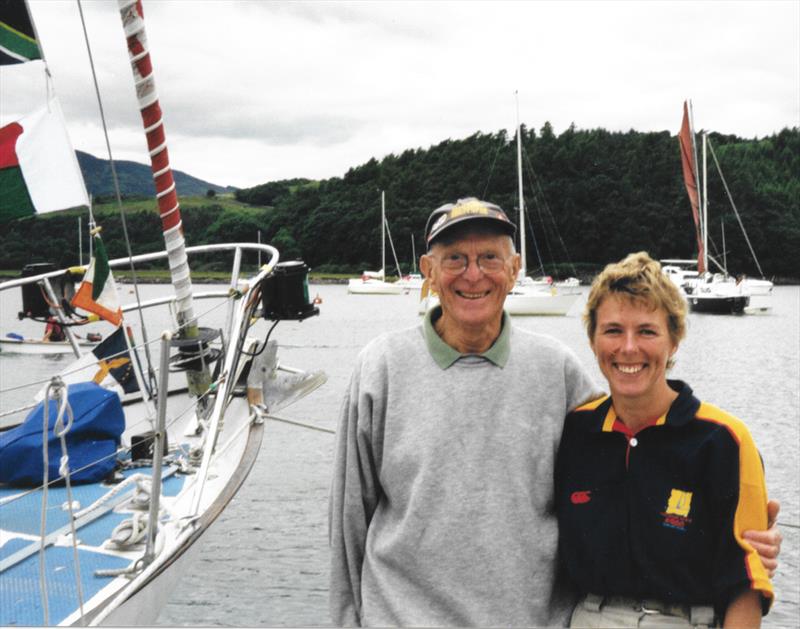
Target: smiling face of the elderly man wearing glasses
[[474, 298]]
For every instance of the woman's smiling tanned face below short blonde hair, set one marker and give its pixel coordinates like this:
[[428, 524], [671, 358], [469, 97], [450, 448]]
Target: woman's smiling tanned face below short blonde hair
[[632, 345]]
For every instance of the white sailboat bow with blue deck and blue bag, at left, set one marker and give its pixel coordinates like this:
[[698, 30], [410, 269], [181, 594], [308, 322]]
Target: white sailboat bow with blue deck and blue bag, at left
[[112, 478]]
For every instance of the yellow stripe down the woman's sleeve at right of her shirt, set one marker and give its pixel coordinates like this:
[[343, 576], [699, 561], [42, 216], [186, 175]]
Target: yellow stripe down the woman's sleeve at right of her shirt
[[751, 511]]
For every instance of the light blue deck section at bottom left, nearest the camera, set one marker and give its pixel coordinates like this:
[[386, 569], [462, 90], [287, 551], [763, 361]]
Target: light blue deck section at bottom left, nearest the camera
[[20, 596]]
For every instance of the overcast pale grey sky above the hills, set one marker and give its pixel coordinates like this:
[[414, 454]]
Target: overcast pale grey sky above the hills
[[257, 91]]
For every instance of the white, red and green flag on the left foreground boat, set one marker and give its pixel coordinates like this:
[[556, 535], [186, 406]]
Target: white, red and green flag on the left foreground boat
[[38, 168]]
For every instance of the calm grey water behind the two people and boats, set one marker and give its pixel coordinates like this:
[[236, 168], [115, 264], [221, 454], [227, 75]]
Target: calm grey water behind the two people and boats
[[265, 562]]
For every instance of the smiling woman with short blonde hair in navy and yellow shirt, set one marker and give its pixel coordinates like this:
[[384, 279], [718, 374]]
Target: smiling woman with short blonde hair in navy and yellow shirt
[[654, 488]]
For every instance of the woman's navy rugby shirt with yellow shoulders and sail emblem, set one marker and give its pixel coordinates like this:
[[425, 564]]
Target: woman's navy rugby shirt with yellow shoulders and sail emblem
[[660, 514]]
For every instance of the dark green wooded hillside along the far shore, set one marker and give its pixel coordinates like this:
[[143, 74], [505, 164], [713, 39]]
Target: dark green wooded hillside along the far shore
[[591, 197]]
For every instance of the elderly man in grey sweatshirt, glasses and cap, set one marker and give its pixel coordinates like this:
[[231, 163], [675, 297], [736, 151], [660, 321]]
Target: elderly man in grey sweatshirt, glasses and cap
[[442, 501]]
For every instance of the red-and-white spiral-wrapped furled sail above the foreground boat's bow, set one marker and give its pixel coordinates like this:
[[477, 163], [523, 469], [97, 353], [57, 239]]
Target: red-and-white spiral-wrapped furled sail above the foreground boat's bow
[[132, 16]]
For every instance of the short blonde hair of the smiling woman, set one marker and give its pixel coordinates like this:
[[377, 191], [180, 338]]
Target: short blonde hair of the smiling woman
[[639, 279]]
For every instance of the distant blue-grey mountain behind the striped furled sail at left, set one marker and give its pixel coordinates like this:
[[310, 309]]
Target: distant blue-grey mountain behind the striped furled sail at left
[[136, 179]]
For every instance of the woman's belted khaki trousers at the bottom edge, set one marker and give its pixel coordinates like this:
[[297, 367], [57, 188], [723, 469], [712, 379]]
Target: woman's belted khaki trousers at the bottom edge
[[617, 611]]
